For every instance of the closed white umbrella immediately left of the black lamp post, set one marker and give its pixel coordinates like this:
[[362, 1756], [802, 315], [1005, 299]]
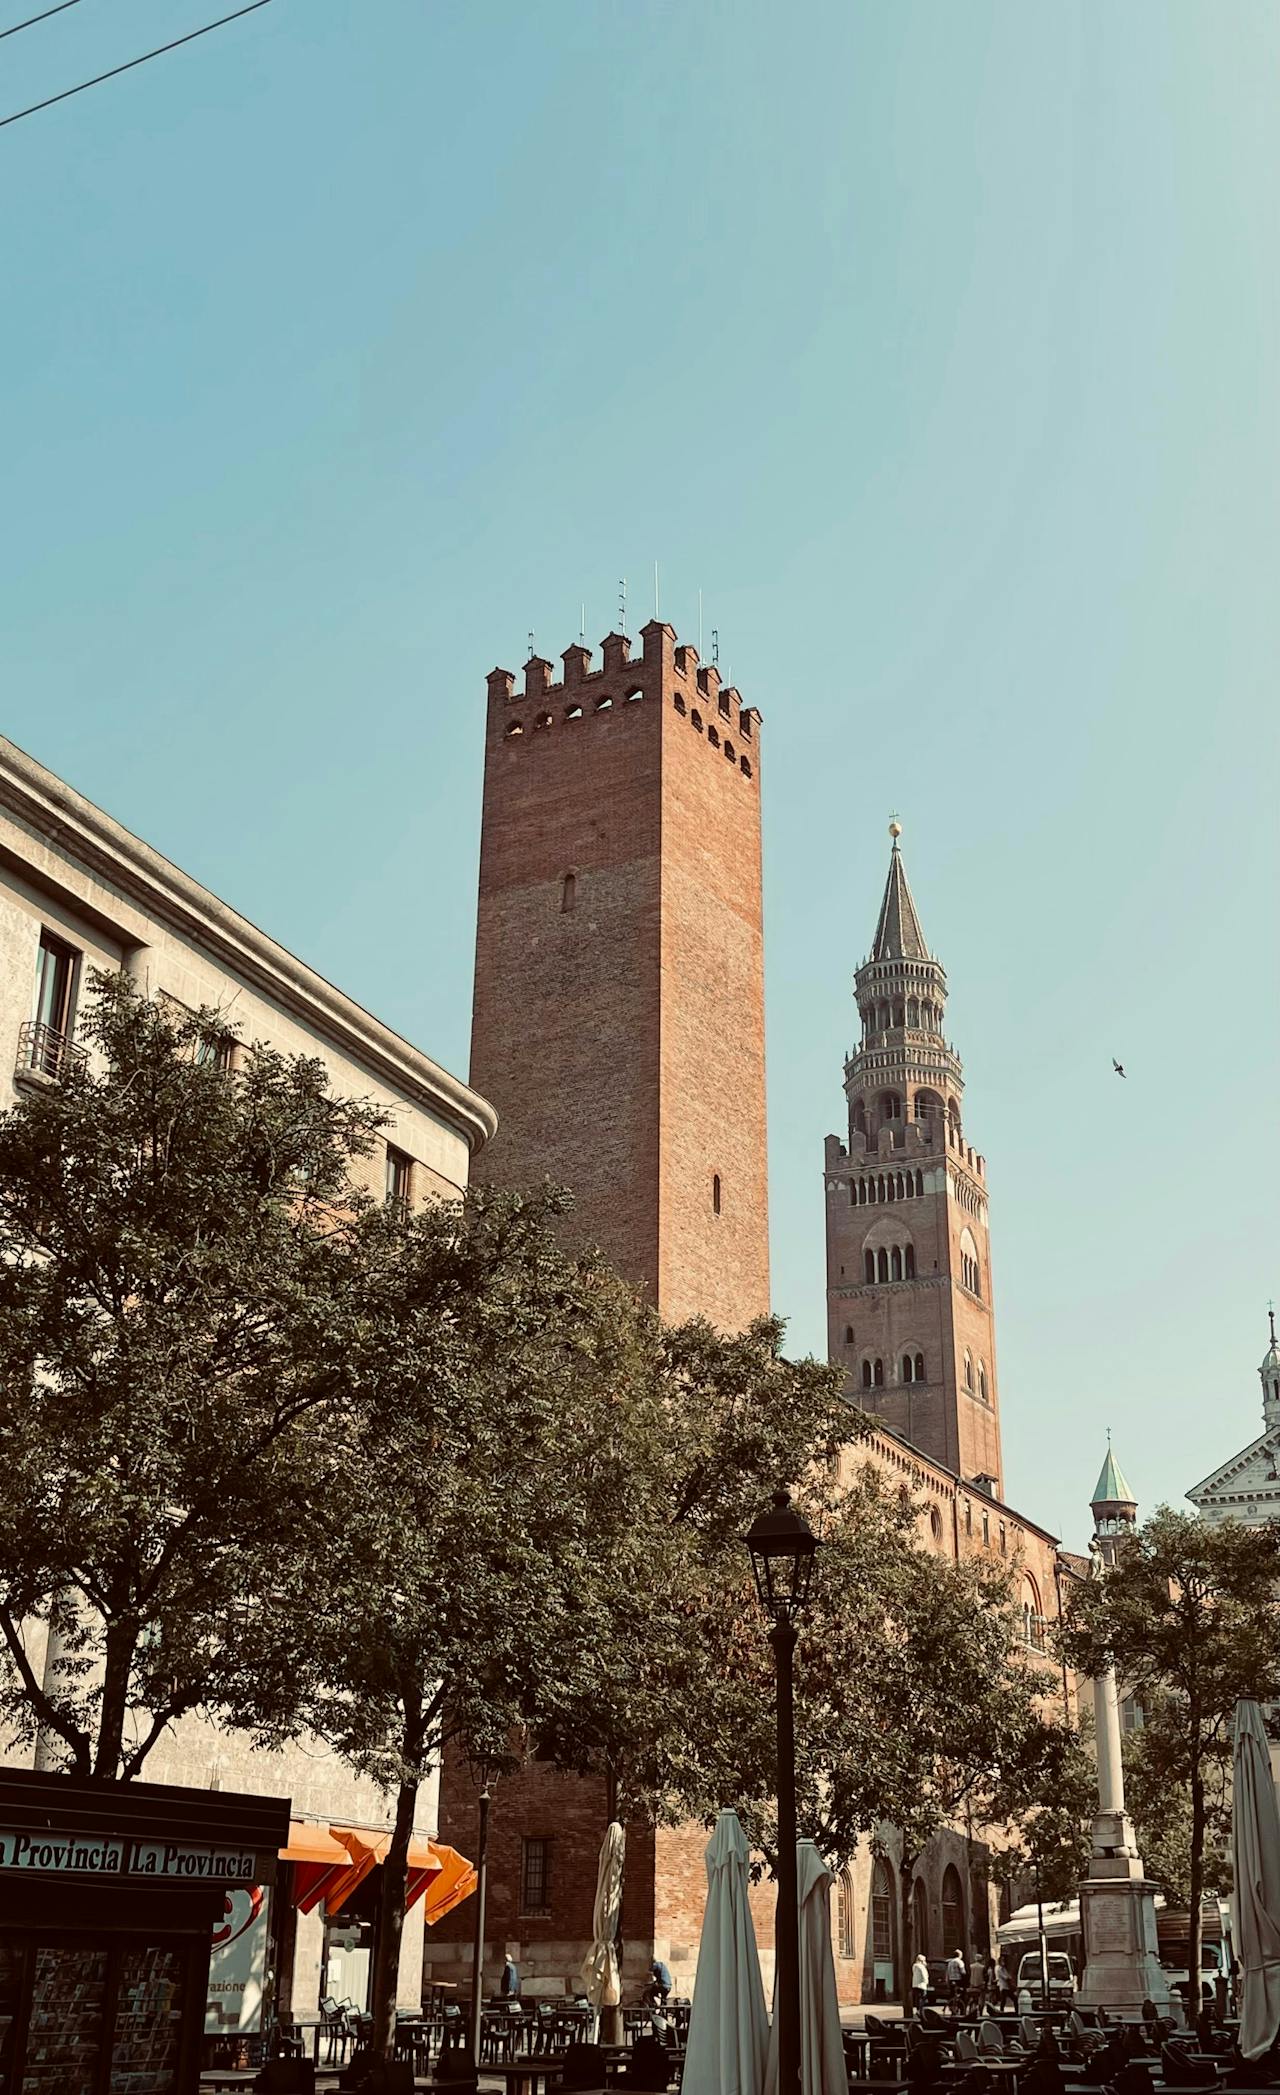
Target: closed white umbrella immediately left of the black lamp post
[[728, 2025]]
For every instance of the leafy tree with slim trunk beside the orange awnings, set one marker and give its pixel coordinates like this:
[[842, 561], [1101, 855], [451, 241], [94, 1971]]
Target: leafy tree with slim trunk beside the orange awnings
[[481, 1476]]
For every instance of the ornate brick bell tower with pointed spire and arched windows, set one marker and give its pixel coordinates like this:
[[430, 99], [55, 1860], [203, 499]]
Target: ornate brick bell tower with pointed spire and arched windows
[[908, 1250]]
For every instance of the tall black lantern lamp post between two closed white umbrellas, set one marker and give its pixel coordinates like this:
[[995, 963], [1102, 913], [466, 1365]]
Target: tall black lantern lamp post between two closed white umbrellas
[[782, 1547]]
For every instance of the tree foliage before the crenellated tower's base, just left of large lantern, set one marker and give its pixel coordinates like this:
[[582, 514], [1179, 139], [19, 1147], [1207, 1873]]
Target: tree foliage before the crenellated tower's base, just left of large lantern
[[676, 1656]]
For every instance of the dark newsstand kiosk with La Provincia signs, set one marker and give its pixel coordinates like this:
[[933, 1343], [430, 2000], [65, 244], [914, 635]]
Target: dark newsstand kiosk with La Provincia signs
[[108, 1903]]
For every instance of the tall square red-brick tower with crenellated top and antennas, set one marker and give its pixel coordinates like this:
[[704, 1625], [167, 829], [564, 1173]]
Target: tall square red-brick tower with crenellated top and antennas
[[619, 1028]]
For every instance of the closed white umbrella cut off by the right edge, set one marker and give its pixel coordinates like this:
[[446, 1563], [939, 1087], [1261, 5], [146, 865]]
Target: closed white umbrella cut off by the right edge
[[1256, 1859]]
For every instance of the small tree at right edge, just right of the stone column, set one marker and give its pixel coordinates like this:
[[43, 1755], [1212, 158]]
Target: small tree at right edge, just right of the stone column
[[1189, 1620]]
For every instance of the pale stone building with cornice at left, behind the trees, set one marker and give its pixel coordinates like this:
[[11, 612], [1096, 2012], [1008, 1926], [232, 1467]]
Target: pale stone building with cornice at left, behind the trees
[[79, 894]]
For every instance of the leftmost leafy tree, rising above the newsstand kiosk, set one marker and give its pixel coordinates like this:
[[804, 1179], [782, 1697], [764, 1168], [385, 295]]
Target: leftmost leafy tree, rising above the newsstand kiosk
[[173, 1262]]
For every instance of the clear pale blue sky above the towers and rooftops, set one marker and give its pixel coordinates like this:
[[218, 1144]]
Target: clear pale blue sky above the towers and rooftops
[[935, 345]]
